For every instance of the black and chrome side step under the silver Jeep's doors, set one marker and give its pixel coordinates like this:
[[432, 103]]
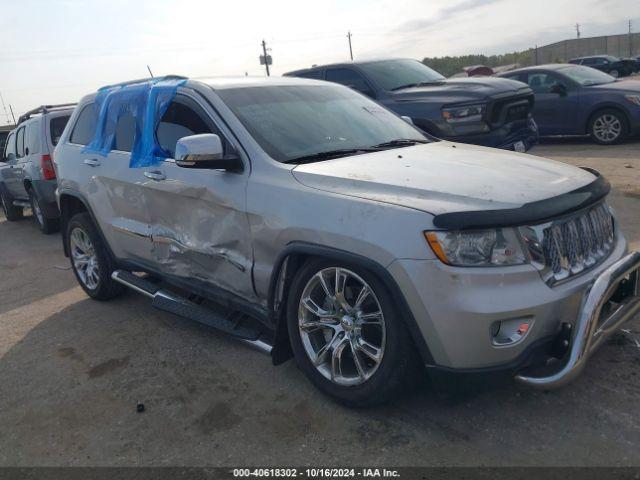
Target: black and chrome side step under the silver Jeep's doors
[[172, 303]]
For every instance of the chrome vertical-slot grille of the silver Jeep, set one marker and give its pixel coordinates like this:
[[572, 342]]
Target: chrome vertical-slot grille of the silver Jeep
[[576, 244]]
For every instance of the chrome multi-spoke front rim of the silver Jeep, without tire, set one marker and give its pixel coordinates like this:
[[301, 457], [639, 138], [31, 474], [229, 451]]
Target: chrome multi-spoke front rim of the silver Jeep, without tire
[[342, 326]]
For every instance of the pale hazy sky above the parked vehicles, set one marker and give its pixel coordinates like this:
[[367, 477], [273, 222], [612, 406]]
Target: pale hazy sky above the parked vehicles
[[55, 51]]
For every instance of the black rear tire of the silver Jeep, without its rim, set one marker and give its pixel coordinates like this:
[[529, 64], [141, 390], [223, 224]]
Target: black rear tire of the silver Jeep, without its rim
[[106, 288]]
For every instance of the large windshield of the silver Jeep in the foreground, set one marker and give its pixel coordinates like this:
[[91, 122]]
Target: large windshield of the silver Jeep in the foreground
[[298, 120]]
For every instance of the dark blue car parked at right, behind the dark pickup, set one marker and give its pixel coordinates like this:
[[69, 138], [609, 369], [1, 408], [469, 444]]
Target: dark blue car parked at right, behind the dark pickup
[[577, 100]]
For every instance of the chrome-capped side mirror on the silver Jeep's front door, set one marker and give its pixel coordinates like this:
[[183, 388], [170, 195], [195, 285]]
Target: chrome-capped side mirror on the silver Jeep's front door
[[205, 151]]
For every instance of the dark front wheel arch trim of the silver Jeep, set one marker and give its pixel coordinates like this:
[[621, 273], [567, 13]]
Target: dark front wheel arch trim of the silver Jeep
[[289, 262]]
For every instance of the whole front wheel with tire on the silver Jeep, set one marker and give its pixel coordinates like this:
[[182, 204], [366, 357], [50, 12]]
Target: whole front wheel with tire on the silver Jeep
[[346, 334]]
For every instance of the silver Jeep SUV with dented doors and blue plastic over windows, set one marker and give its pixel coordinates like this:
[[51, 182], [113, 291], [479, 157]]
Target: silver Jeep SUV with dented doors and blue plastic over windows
[[307, 220]]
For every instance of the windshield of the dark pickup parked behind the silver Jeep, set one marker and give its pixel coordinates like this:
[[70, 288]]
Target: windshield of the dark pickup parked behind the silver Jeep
[[397, 74]]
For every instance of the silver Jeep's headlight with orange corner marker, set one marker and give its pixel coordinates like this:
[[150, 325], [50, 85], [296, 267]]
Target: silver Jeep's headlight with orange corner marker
[[483, 248]]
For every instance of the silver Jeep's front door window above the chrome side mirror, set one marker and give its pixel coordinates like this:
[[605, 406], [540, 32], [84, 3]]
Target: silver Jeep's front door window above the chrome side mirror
[[183, 118]]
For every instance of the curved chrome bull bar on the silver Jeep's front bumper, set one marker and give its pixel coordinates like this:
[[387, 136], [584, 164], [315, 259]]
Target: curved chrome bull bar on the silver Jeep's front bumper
[[593, 327]]
